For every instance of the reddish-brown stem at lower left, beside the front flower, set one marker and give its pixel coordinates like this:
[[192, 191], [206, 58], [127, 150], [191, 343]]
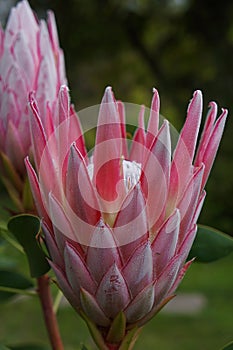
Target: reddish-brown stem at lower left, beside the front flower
[[49, 315]]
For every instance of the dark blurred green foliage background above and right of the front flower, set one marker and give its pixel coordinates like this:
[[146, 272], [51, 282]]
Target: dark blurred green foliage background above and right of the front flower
[[175, 45]]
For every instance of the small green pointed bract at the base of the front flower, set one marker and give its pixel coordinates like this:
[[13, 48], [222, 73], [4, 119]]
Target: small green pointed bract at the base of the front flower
[[117, 330]]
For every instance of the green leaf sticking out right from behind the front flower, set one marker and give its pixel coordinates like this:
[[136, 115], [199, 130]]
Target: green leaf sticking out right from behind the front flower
[[210, 245]]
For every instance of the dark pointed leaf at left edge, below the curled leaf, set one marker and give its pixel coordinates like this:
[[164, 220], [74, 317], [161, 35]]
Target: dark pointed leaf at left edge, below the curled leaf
[[10, 280]]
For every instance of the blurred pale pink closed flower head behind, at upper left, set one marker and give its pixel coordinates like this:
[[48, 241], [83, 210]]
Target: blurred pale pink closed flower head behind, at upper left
[[30, 59]]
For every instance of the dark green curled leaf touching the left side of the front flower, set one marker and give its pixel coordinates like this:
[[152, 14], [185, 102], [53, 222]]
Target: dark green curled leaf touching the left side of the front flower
[[25, 228]]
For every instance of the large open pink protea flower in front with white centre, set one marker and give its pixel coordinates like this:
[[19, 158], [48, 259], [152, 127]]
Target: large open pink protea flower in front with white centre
[[119, 224]]
